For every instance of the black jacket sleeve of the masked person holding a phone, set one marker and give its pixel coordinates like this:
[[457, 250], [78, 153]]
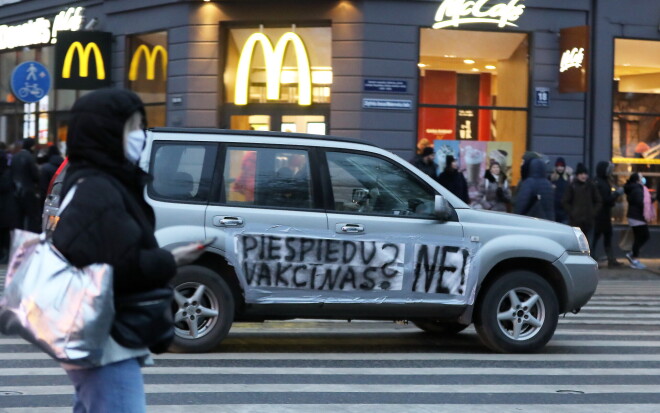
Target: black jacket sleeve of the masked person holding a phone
[[97, 228]]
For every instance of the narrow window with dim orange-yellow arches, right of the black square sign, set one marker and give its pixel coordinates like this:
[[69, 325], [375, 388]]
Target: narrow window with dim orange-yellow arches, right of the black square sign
[[147, 73]]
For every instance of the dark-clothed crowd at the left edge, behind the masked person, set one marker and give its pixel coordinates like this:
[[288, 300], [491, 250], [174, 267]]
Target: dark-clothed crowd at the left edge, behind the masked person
[[24, 180]]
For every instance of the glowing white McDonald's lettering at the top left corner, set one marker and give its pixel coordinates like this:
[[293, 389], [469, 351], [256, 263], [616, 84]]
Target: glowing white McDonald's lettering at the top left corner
[[40, 30]]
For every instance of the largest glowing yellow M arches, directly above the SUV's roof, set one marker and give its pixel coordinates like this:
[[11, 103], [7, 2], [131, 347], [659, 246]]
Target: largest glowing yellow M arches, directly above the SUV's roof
[[274, 58]]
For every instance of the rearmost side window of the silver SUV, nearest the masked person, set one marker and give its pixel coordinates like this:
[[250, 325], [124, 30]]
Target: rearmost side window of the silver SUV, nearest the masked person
[[182, 171]]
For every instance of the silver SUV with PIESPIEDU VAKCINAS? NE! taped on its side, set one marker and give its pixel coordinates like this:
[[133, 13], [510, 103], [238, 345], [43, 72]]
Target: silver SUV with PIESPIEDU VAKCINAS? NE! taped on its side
[[334, 228]]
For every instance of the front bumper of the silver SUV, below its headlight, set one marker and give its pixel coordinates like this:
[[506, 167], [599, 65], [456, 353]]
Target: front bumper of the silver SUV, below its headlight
[[580, 272]]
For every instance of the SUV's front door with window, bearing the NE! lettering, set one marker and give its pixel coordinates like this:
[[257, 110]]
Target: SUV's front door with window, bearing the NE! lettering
[[382, 206]]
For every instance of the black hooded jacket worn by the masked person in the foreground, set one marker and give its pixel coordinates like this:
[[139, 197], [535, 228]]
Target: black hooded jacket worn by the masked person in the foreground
[[108, 220]]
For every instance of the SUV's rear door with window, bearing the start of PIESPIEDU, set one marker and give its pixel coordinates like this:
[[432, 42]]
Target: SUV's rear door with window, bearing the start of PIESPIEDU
[[267, 203]]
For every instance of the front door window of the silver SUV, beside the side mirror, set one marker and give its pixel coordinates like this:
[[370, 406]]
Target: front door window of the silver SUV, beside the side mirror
[[372, 185]]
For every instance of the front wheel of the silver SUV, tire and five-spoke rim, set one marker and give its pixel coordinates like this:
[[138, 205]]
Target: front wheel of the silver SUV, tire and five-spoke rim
[[503, 321]]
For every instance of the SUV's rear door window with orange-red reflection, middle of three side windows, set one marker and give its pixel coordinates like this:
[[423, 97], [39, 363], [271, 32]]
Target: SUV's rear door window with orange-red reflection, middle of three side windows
[[267, 177]]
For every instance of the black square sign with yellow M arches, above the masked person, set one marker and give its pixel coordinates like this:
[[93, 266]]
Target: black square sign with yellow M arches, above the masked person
[[82, 60]]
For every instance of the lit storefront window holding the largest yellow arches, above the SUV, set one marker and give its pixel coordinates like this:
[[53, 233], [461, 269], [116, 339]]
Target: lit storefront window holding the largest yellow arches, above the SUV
[[283, 74]]
